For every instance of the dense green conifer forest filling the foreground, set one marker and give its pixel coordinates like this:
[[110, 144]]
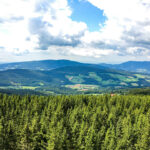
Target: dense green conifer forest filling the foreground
[[74, 122]]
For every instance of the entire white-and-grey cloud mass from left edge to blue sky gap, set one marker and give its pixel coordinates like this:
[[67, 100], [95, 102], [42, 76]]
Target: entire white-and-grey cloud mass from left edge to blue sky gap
[[31, 24]]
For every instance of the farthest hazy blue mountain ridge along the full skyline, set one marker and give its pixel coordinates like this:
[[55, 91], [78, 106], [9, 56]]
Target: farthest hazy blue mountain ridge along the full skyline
[[132, 66]]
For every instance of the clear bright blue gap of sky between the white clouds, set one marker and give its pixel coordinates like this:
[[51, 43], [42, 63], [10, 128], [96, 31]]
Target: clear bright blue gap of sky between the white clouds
[[86, 12]]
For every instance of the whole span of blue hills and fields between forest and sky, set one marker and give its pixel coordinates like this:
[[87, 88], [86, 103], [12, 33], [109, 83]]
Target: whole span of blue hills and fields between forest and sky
[[49, 74]]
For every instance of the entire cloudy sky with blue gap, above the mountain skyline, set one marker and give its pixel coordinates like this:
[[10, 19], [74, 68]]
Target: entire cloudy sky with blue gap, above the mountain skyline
[[95, 31]]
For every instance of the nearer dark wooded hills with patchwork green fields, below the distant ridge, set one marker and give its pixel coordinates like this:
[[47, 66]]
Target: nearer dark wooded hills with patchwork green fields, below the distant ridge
[[80, 78]]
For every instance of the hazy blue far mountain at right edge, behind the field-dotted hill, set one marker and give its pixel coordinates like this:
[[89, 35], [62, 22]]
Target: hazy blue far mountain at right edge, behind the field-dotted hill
[[133, 66]]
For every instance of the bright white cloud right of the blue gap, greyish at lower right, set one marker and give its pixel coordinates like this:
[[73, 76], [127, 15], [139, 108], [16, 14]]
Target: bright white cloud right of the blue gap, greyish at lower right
[[127, 26]]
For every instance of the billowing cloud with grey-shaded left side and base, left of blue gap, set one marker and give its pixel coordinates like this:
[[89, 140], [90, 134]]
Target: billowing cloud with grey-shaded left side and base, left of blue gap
[[54, 26]]
